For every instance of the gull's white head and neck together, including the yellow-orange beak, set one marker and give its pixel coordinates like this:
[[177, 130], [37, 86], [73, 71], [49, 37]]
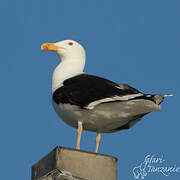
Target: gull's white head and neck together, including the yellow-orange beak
[[72, 56]]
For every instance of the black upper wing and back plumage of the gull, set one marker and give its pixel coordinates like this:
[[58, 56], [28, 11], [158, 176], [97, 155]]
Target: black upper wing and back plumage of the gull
[[84, 89]]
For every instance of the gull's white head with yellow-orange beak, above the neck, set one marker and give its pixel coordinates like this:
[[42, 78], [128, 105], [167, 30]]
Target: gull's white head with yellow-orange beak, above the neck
[[67, 49]]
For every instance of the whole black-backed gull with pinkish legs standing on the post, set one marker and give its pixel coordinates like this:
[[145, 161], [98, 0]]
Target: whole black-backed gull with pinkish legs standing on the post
[[93, 103]]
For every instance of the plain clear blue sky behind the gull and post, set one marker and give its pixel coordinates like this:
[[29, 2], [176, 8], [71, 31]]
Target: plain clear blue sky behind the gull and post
[[131, 41]]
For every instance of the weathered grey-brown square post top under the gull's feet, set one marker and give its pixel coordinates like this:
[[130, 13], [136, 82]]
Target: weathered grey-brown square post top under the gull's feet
[[71, 164]]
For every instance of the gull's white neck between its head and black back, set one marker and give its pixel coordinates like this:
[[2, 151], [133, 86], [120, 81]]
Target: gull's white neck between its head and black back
[[65, 70]]
